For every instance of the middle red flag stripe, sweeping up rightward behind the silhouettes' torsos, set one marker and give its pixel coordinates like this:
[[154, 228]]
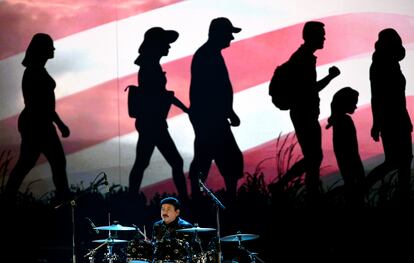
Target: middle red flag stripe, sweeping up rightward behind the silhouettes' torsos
[[250, 62]]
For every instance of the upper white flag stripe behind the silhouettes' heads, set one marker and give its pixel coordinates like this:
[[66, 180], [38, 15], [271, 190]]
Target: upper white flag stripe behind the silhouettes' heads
[[89, 58]]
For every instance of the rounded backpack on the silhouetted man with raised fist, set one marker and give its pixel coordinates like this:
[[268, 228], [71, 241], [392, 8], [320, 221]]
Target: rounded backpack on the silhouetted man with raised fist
[[280, 86]]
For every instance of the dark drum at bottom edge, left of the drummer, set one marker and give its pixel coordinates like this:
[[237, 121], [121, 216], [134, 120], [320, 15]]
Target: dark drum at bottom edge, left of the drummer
[[139, 250]]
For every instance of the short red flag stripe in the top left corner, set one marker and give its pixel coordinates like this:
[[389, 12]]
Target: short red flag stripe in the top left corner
[[20, 21]]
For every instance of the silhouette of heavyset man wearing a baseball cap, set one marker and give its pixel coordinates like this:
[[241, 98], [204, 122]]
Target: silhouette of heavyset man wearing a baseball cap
[[211, 111]]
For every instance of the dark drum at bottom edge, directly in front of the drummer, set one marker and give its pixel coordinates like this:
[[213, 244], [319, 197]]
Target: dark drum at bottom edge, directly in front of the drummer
[[171, 250]]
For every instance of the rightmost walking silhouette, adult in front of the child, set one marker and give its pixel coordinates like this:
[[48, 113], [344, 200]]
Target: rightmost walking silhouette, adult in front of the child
[[391, 120]]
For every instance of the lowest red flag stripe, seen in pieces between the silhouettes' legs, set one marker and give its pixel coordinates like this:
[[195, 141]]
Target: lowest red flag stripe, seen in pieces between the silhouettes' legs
[[367, 148]]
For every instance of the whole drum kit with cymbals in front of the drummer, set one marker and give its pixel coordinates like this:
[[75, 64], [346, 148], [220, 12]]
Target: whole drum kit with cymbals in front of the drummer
[[142, 250]]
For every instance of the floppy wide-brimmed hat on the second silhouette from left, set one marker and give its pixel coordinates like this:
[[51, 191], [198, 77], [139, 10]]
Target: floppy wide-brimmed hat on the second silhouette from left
[[156, 36]]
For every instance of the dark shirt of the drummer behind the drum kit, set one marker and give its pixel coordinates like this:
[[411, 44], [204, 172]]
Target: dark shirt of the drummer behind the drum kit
[[162, 231]]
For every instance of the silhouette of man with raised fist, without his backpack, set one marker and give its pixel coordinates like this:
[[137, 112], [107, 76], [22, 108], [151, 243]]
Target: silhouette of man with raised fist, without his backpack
[[304, 110]]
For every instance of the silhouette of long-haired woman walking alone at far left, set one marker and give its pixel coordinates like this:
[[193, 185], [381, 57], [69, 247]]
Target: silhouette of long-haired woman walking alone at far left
[[36, 121]]
